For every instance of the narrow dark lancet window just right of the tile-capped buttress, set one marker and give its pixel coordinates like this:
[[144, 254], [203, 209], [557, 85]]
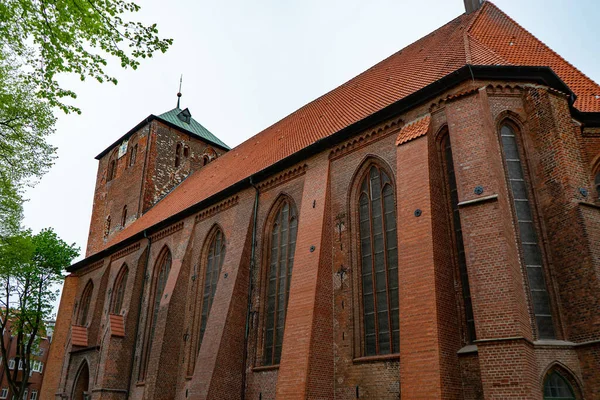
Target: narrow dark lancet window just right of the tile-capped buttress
[[458, 238]]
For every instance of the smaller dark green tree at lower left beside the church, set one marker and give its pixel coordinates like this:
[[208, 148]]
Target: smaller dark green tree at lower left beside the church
[[31, 266]]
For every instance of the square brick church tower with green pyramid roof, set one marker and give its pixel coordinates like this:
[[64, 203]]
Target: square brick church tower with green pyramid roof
[[143, 166]]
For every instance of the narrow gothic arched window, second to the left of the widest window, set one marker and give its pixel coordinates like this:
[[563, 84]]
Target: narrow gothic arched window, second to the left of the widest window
[[213, 263]]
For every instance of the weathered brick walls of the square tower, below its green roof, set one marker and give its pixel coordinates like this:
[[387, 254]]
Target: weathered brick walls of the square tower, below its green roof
[[145, 182]]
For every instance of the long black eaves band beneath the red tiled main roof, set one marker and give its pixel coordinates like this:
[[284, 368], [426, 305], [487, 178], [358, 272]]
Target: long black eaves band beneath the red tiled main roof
[[541, 75]]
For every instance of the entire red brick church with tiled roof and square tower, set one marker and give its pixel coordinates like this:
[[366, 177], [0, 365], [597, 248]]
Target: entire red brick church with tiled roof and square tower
[[429, 229]]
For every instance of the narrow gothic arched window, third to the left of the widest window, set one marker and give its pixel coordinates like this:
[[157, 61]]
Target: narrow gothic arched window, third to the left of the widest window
[[159, 281]]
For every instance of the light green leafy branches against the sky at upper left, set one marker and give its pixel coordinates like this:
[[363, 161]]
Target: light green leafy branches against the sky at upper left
[[40, 40]]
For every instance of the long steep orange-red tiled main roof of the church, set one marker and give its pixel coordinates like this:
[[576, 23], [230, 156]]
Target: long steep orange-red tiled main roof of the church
[[485, 37]]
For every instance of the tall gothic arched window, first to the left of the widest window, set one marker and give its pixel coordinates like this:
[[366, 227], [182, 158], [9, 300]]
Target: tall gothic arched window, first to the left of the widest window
[[281, 237]]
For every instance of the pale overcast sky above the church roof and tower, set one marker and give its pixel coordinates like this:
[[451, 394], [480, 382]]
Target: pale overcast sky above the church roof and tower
[[247, 64]]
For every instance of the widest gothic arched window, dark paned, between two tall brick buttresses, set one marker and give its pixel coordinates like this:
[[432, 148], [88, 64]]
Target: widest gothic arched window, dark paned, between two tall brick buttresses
[[378, 252]]
